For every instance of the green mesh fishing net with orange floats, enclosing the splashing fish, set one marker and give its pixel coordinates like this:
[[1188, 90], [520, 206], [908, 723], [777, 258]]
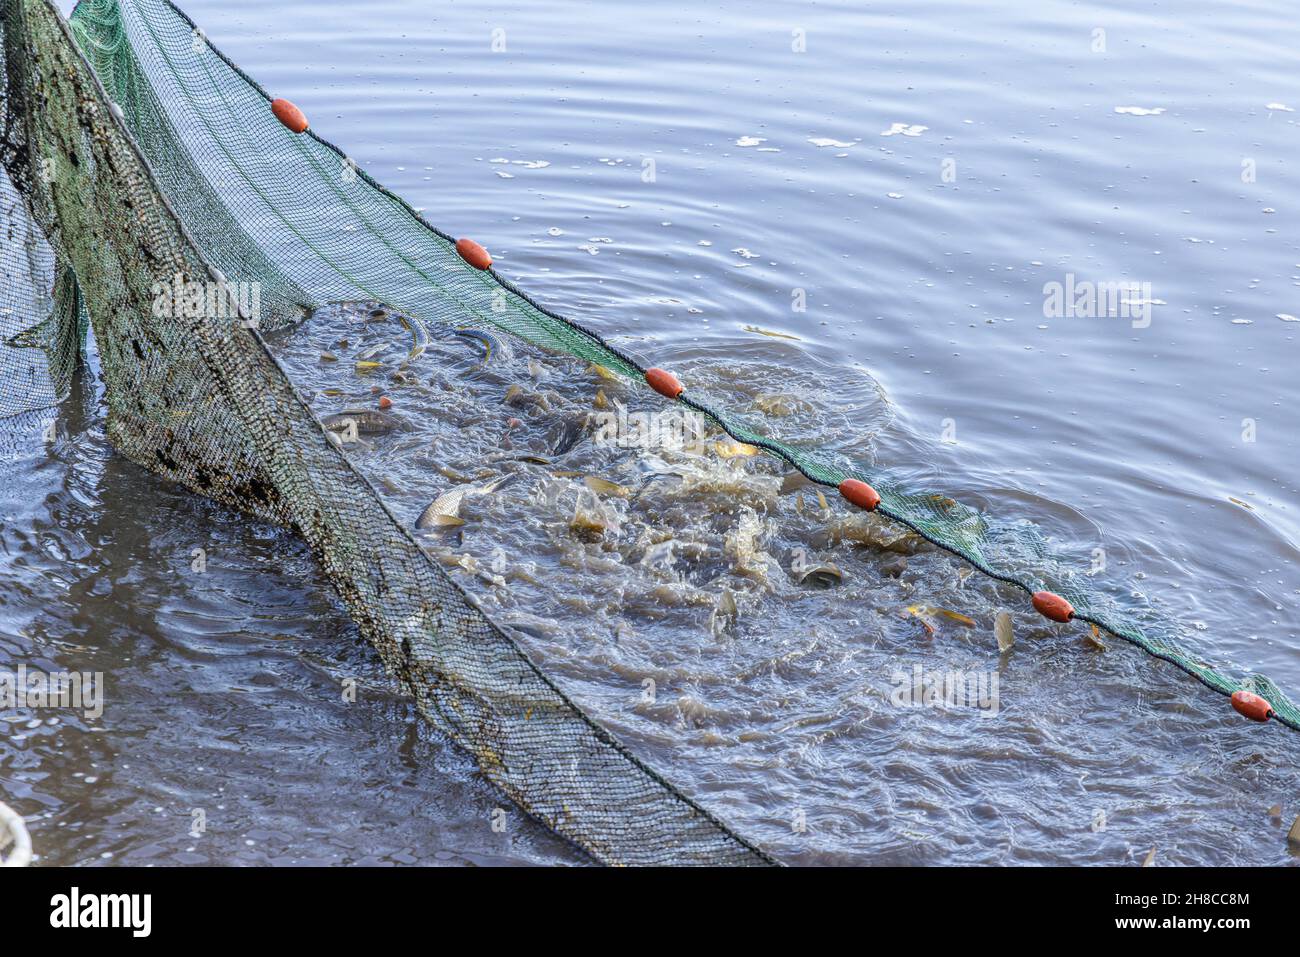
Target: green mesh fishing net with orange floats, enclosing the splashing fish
[[157, 161]]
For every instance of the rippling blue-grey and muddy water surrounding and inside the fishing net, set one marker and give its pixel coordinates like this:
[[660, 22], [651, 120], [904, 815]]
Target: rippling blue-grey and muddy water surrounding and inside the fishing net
[[679, 179]]
